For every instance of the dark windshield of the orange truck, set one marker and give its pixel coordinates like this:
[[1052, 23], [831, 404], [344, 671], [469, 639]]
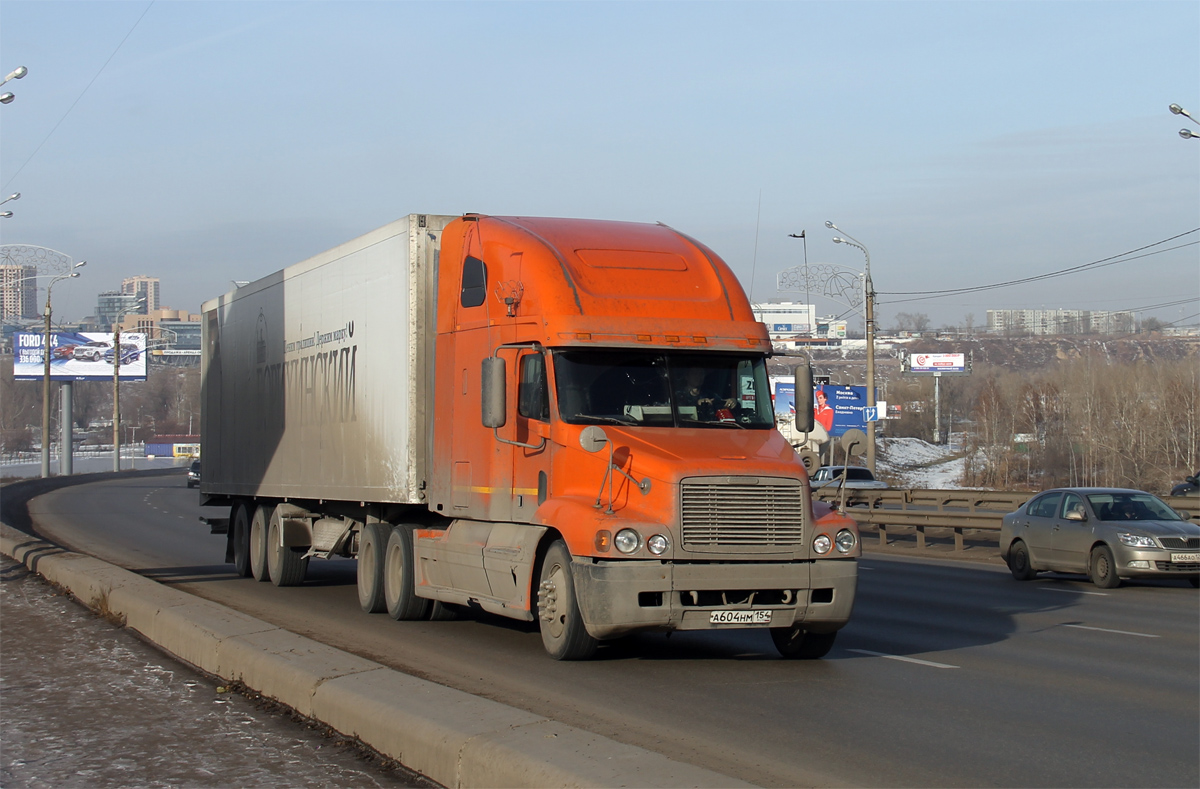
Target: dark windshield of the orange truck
[[663, 390]]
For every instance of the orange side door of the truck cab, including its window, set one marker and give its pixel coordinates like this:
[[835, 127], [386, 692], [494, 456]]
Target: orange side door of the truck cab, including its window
[[531, 465]]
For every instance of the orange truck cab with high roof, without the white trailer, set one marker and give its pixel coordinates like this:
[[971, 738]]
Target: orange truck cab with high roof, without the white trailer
[[605, 384]]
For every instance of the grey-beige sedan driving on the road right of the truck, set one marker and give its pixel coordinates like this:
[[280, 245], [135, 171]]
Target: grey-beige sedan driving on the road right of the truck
[[1111, 534]]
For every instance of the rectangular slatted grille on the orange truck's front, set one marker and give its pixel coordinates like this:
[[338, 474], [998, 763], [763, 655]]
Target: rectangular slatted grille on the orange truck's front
[[743, 513]]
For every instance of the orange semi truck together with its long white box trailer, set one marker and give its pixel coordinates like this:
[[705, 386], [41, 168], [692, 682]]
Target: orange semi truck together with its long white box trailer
[[562, 421]]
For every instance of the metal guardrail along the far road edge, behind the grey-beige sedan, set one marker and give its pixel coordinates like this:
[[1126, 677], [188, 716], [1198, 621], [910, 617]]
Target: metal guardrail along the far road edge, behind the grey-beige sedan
[[958, 510]]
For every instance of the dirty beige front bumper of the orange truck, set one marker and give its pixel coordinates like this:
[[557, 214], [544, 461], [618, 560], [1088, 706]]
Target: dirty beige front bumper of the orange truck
[[619, 598]]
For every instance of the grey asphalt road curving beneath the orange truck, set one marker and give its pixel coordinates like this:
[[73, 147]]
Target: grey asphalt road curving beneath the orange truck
[[950, 674]]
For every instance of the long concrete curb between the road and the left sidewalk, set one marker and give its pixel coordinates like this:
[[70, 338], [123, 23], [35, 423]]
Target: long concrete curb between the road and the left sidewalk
[[451, 737]]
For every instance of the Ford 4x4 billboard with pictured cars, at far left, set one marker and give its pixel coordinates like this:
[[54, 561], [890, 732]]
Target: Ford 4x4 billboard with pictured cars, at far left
[[80, 357]]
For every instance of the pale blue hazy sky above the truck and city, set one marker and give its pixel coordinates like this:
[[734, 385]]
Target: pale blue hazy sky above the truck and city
[[964, 143]]
